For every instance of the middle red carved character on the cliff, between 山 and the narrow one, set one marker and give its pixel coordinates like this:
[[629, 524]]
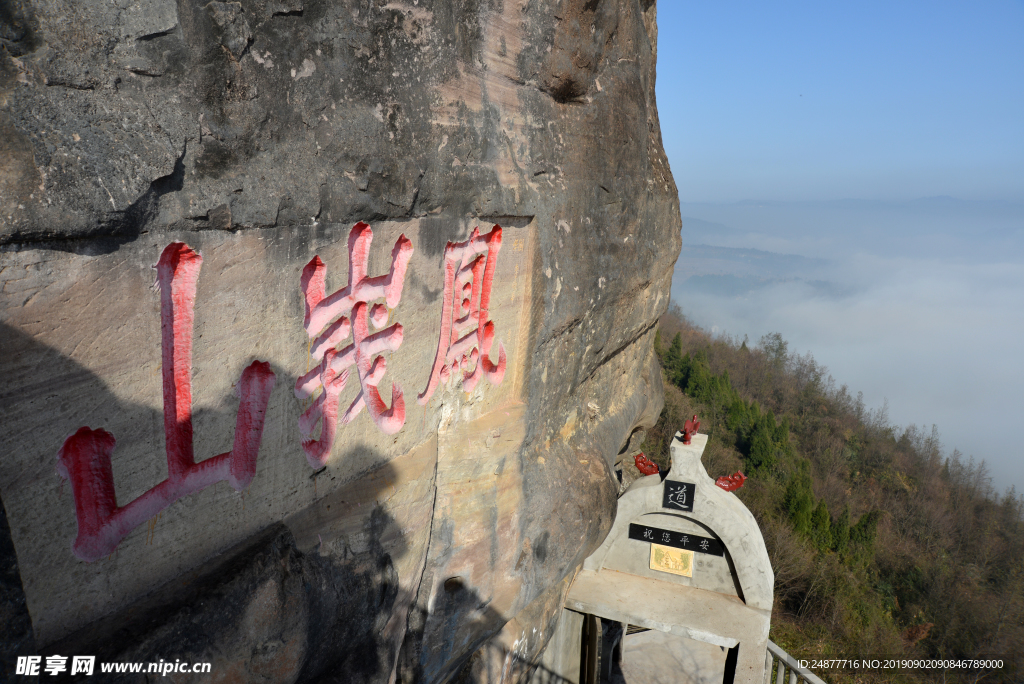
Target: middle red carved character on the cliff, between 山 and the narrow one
[[353, 305]]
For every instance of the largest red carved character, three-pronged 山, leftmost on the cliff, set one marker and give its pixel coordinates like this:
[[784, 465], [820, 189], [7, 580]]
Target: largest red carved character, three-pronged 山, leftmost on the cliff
[[86, 457]]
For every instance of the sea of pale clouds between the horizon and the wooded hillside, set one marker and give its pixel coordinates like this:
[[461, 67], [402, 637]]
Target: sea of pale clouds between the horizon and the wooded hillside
[[918, 305]]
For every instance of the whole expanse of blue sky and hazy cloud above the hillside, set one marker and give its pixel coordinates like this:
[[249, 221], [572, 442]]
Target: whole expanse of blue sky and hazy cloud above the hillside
[[885, 141]]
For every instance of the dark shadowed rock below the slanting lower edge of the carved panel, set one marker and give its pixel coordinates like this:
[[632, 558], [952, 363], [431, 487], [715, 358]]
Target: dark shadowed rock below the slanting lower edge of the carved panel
[[264, 612]]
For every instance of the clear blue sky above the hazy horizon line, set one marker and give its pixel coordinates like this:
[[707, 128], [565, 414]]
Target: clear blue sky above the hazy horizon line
[[821, 101]]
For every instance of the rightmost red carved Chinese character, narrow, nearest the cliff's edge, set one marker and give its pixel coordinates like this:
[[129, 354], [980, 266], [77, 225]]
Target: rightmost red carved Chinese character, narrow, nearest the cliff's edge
[[467, 332]]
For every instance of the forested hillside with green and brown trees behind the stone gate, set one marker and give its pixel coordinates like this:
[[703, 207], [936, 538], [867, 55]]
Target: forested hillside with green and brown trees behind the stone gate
[[882, 544]]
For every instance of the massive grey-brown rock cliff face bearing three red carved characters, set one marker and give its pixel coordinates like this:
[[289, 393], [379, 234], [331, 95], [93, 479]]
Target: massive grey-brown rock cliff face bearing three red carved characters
[[411, 478]]
